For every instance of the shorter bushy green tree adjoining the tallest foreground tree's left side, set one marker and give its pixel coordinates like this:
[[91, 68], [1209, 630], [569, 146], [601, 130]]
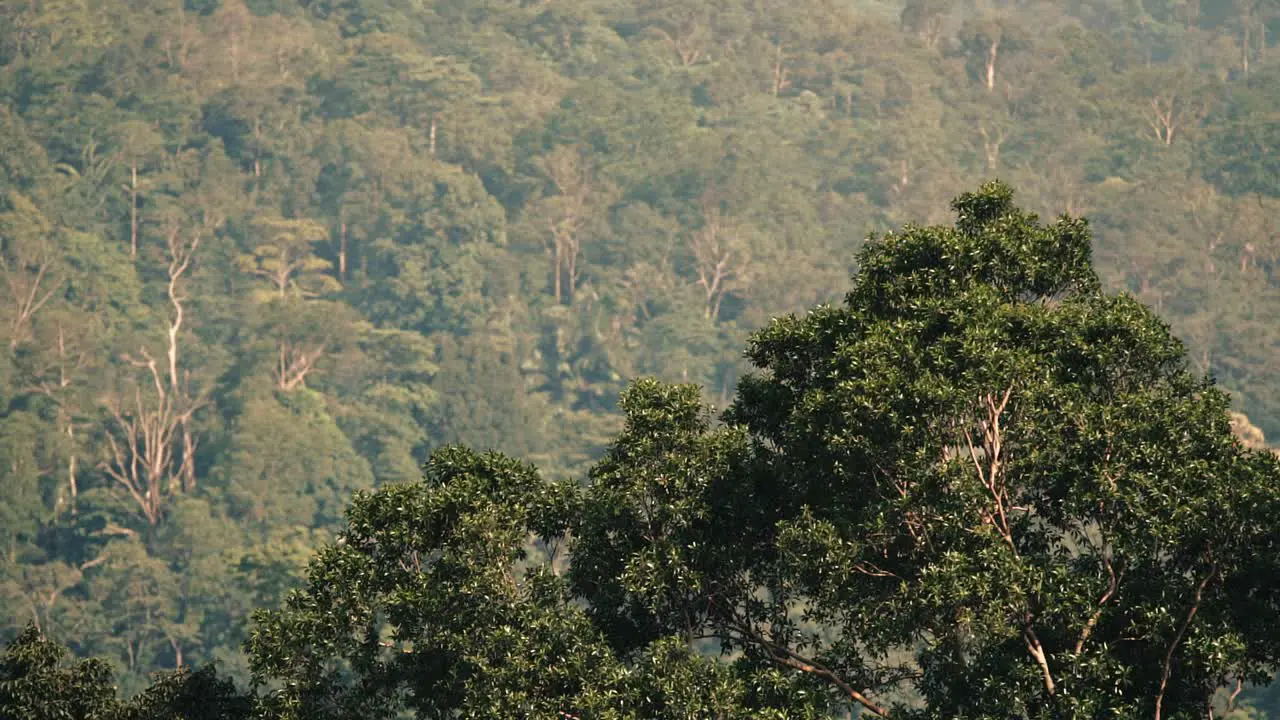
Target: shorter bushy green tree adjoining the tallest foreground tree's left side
[[428, 600]]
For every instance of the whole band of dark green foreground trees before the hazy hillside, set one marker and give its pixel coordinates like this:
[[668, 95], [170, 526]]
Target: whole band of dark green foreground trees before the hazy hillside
[[980, 489]]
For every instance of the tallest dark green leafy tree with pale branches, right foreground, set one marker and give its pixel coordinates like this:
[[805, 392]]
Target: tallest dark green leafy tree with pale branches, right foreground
[[982, 480]]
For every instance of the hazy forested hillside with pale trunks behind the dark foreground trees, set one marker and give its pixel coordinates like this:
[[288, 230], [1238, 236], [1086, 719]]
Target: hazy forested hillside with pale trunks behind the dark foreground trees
[[263, 258]]
